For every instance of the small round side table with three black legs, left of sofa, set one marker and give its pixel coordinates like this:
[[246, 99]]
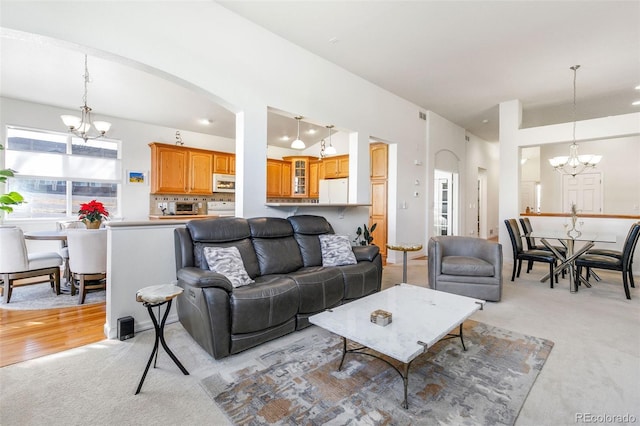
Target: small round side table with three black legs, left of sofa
[[151, 297]]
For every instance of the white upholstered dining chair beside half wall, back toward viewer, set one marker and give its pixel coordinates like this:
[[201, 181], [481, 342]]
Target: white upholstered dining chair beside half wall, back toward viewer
[[87, 260]]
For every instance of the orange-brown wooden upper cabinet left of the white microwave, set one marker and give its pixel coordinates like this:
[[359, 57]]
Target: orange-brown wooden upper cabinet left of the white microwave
[[180, 170]]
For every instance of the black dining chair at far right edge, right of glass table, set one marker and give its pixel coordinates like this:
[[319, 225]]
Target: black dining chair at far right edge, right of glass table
[[622, 264]]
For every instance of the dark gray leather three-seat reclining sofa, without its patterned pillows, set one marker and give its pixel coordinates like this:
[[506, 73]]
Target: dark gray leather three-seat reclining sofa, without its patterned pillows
[[284, 258]]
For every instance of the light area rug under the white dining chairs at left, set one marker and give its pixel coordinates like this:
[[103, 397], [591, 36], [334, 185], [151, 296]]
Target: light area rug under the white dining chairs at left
[[42, 296]]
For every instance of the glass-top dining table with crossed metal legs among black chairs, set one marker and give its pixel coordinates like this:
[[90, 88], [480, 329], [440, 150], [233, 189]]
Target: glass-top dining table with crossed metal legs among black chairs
[[567, 261]]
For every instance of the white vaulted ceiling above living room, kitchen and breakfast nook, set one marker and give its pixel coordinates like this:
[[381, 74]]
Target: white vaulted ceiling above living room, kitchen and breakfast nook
[[459, 59]]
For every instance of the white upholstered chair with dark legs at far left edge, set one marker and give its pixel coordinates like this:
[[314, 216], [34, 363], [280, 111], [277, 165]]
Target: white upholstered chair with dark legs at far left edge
[[17, 264]]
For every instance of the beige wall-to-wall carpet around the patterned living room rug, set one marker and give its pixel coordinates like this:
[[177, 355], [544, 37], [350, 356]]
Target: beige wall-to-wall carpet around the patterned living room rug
[[594, 366]]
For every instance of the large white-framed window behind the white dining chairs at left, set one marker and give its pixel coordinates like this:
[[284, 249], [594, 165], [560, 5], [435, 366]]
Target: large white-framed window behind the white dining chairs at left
[[56, 172]]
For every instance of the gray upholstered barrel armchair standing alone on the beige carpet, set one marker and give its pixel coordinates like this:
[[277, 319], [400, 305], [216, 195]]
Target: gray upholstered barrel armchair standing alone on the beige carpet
[[466, 266]]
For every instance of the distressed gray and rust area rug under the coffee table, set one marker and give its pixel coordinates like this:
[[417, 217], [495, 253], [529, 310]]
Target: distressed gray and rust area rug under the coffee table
[[300, 384]]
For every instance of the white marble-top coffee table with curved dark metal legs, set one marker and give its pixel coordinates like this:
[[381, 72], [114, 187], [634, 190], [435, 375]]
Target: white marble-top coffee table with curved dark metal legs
[[421, 317]]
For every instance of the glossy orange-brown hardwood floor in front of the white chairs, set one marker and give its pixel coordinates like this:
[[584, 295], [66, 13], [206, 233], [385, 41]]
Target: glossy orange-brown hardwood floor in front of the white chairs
[[31, 334]]
